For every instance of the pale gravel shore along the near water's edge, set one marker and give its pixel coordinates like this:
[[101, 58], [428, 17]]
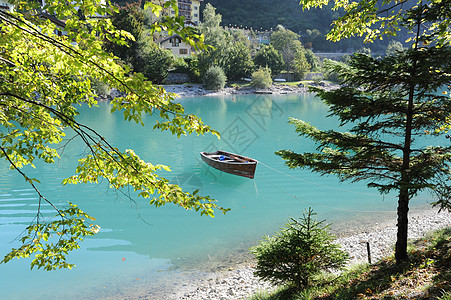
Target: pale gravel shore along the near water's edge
[[240, 283]]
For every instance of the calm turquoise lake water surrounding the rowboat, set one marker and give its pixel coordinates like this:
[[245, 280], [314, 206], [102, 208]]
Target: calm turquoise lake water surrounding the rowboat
[[143, 250]]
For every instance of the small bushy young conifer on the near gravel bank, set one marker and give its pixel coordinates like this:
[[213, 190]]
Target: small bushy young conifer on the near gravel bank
[[297, 253]]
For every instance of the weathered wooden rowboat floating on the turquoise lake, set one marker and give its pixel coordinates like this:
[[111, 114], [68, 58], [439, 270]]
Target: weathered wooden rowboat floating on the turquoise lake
[[230, 163]]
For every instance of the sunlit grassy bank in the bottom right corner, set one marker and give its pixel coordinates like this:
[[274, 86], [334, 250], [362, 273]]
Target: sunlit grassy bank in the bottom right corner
[[427, 275]]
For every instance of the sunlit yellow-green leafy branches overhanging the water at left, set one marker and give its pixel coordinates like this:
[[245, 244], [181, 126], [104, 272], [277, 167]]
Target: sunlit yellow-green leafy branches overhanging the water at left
[[44, 78]]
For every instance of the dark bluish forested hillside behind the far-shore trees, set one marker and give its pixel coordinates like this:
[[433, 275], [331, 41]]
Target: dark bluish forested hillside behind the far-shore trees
[[312, 25]]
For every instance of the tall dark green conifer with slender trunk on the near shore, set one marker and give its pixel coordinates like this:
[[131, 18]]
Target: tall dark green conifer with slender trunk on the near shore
[[394, 105]]
